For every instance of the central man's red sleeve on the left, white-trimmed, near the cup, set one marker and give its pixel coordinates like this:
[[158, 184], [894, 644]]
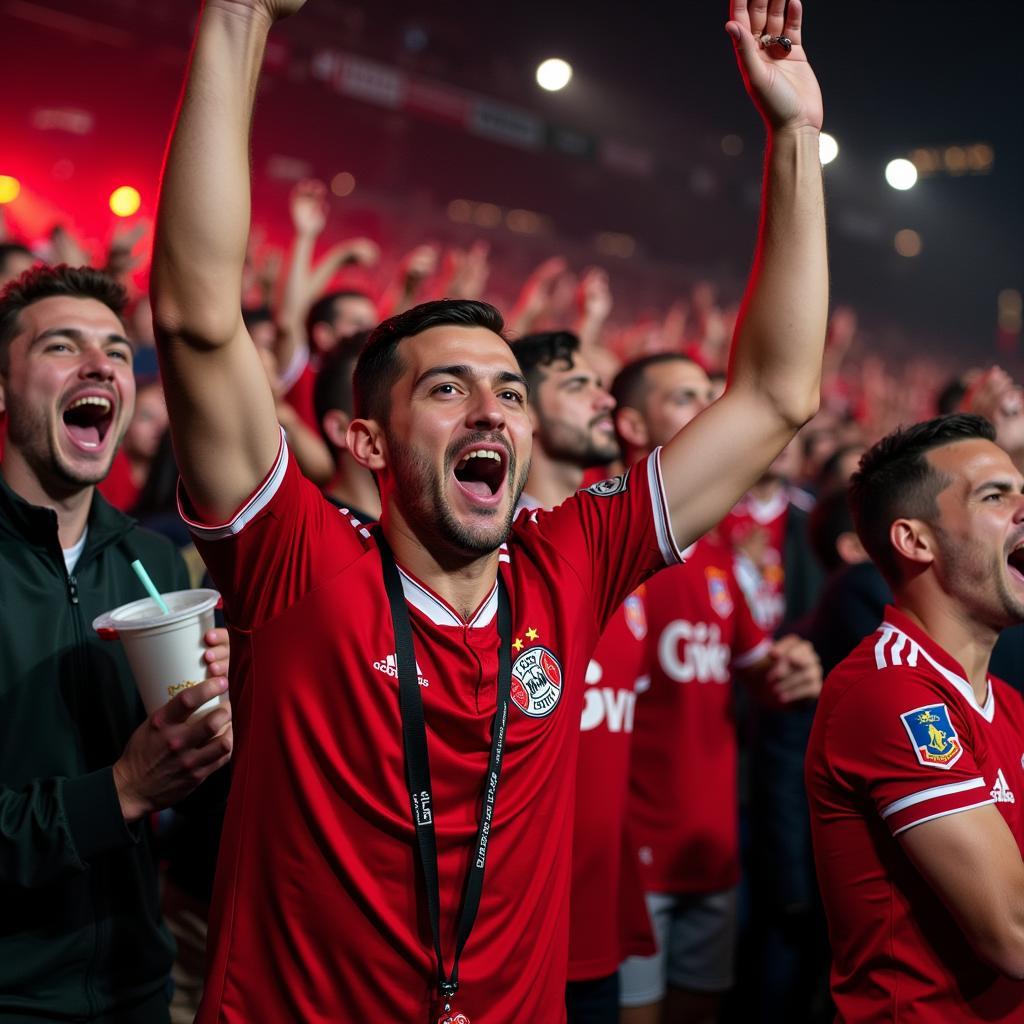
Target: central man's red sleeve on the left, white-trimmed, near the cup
[[278, 546]]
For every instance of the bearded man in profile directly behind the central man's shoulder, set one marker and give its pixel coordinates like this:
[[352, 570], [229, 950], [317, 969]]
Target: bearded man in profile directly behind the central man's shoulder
[[573, 433]]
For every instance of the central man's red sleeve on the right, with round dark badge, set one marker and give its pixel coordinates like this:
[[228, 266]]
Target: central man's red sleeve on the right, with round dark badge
[[613, 535]]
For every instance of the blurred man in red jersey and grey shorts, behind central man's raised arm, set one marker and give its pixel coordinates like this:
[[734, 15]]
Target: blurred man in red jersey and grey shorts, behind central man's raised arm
[[682, 816]]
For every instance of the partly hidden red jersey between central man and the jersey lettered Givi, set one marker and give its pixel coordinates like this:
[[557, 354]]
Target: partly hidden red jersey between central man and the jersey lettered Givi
[[604, 899]]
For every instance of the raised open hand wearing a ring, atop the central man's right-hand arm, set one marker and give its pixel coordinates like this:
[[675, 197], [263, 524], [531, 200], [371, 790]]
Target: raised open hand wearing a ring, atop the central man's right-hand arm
[[781, 83]]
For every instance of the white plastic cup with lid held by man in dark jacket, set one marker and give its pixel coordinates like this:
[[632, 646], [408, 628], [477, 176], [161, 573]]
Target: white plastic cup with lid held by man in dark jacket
[[165, 652]]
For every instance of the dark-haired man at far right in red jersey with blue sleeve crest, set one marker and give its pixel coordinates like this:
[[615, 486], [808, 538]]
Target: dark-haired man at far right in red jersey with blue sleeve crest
[[916, 764]]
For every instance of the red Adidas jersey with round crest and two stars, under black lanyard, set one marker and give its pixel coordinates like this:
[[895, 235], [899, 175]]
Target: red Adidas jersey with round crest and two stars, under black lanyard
[[319, 911]]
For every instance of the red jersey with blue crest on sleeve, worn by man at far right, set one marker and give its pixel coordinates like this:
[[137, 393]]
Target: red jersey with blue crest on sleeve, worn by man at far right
[[899, 740]]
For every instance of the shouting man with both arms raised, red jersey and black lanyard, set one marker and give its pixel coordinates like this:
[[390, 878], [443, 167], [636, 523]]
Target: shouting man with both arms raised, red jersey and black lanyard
[[352, 875]]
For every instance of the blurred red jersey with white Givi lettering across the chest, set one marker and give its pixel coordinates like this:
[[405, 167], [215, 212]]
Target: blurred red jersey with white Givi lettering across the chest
[[682, 813]]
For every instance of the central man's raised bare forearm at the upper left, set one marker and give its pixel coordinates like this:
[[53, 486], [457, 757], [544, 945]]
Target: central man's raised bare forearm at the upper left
[[203, 220]]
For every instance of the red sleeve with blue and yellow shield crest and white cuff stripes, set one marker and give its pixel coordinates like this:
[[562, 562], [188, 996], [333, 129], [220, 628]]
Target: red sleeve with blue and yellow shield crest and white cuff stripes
[[900, 741]]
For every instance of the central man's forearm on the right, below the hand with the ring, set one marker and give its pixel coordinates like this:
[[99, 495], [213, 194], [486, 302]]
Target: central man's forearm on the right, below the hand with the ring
[[782, 331]]
